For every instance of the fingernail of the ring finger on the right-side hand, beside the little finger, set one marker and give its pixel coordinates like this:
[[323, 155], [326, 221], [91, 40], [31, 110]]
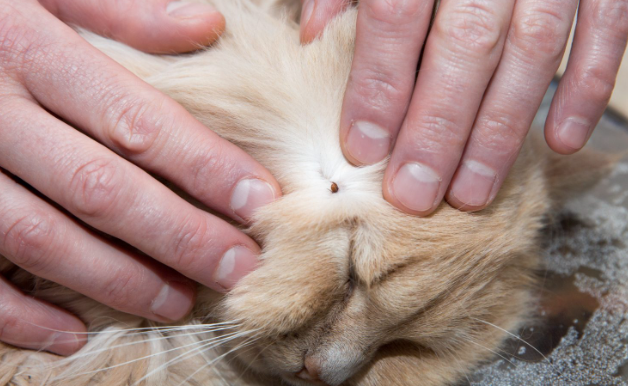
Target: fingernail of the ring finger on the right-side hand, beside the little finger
[[474, 183]]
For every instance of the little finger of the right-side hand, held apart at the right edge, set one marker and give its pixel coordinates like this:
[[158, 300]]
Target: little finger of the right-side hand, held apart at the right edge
[[586, 87]]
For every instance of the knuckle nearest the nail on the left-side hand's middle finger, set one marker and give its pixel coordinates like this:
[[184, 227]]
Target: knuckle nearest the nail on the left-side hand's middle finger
[[189, 243]]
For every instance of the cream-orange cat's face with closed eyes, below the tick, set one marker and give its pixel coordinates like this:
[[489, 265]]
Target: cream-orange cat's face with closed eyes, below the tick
[[346, 280]]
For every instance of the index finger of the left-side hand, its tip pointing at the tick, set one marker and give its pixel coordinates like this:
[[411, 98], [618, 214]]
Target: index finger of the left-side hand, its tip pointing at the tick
[[130, 117]]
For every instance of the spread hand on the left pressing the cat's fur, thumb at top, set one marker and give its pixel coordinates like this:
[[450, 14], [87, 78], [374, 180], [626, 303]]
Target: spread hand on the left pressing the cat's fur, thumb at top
[[52, 83]]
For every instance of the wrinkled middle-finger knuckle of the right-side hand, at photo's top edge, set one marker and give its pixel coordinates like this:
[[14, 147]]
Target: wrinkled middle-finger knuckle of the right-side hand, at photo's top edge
[[472, 26]]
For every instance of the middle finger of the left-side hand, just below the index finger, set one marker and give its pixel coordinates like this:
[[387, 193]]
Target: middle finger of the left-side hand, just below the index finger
[[120, 199]]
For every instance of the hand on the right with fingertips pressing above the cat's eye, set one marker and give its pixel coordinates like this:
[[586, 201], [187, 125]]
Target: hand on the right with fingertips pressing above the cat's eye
[[486, 66]]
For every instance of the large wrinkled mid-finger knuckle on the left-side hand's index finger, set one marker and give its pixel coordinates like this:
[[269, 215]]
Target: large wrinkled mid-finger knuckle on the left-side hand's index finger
[[134, 130]]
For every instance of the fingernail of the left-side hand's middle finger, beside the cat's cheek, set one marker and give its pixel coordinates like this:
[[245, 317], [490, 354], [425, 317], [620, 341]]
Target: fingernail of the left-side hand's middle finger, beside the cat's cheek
[[234, 265]]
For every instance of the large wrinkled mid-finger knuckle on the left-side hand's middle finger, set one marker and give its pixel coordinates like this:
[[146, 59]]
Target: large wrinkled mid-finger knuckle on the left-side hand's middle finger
[[95, 187]]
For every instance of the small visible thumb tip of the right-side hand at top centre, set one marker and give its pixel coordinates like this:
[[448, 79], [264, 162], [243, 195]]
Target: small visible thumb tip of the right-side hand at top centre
[[315, 14]]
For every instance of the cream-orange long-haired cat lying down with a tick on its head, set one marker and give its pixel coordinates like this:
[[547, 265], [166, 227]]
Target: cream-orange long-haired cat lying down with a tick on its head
[[350, 291]]
